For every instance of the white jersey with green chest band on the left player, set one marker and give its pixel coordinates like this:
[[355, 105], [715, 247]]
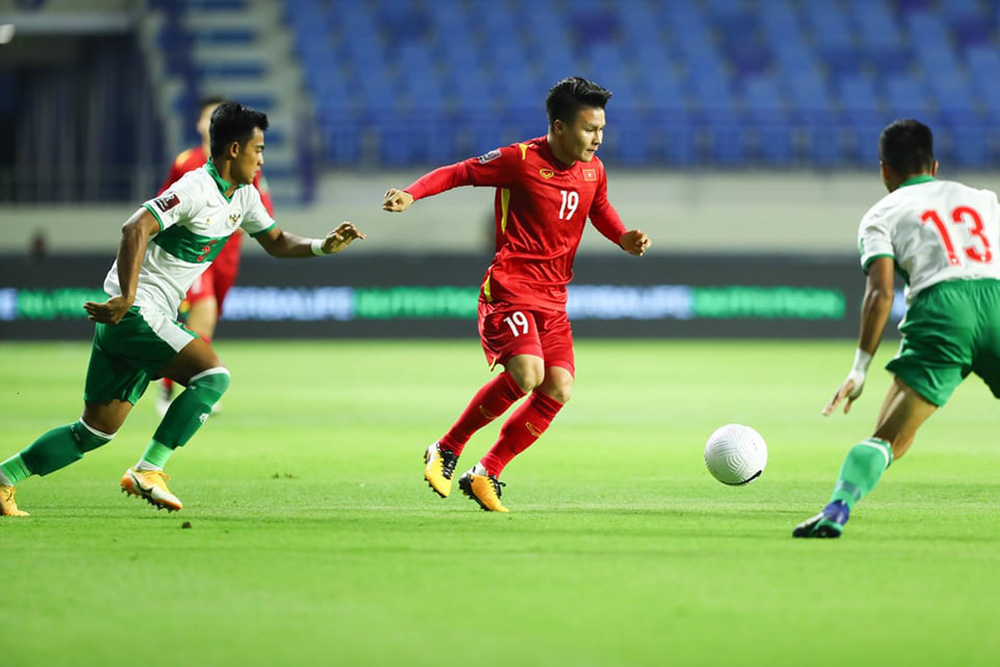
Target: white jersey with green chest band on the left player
[[196, 219]]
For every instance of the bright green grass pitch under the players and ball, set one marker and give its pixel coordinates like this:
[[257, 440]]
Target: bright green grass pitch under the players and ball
[[313, 539]]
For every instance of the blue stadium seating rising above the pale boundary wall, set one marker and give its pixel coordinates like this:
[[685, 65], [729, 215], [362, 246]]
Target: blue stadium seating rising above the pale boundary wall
[[709, 83]]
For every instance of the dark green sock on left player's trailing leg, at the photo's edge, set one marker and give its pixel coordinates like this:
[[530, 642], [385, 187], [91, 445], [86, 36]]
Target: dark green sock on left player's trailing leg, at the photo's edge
[[54, 450]]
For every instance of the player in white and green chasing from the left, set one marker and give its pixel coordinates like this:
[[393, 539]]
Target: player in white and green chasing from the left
[[164, 247]]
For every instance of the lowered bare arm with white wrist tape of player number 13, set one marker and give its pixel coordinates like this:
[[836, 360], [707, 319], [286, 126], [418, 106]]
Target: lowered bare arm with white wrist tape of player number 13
[[875, 311]]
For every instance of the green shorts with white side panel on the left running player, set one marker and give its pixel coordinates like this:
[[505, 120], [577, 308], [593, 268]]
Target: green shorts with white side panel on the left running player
[[127, 355]]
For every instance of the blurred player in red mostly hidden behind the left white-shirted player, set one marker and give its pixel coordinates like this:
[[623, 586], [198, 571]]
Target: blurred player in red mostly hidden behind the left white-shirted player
[[203, 304]]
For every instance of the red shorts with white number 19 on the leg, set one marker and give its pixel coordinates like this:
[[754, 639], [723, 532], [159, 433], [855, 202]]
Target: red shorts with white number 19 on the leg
[[507, 330]]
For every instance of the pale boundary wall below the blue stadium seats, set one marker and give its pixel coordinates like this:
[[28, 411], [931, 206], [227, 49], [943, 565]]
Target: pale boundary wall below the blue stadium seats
[[757, 213]]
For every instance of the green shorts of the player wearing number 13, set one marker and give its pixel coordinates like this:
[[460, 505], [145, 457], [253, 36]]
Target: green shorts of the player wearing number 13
[[952, 329]]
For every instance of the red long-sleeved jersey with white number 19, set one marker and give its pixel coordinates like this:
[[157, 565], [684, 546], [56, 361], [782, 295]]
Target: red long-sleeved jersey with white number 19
[[541, 207]]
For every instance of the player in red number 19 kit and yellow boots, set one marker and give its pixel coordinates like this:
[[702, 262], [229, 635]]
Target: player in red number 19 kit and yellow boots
[[546, 189]]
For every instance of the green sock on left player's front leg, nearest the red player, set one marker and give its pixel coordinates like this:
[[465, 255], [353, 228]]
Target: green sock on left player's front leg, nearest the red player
[[186, 414]]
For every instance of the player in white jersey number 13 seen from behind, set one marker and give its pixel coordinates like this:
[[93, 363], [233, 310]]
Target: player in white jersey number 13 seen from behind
[[943, 238]]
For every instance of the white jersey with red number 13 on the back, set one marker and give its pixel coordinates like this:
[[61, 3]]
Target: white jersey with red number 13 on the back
[[934, 231]]
